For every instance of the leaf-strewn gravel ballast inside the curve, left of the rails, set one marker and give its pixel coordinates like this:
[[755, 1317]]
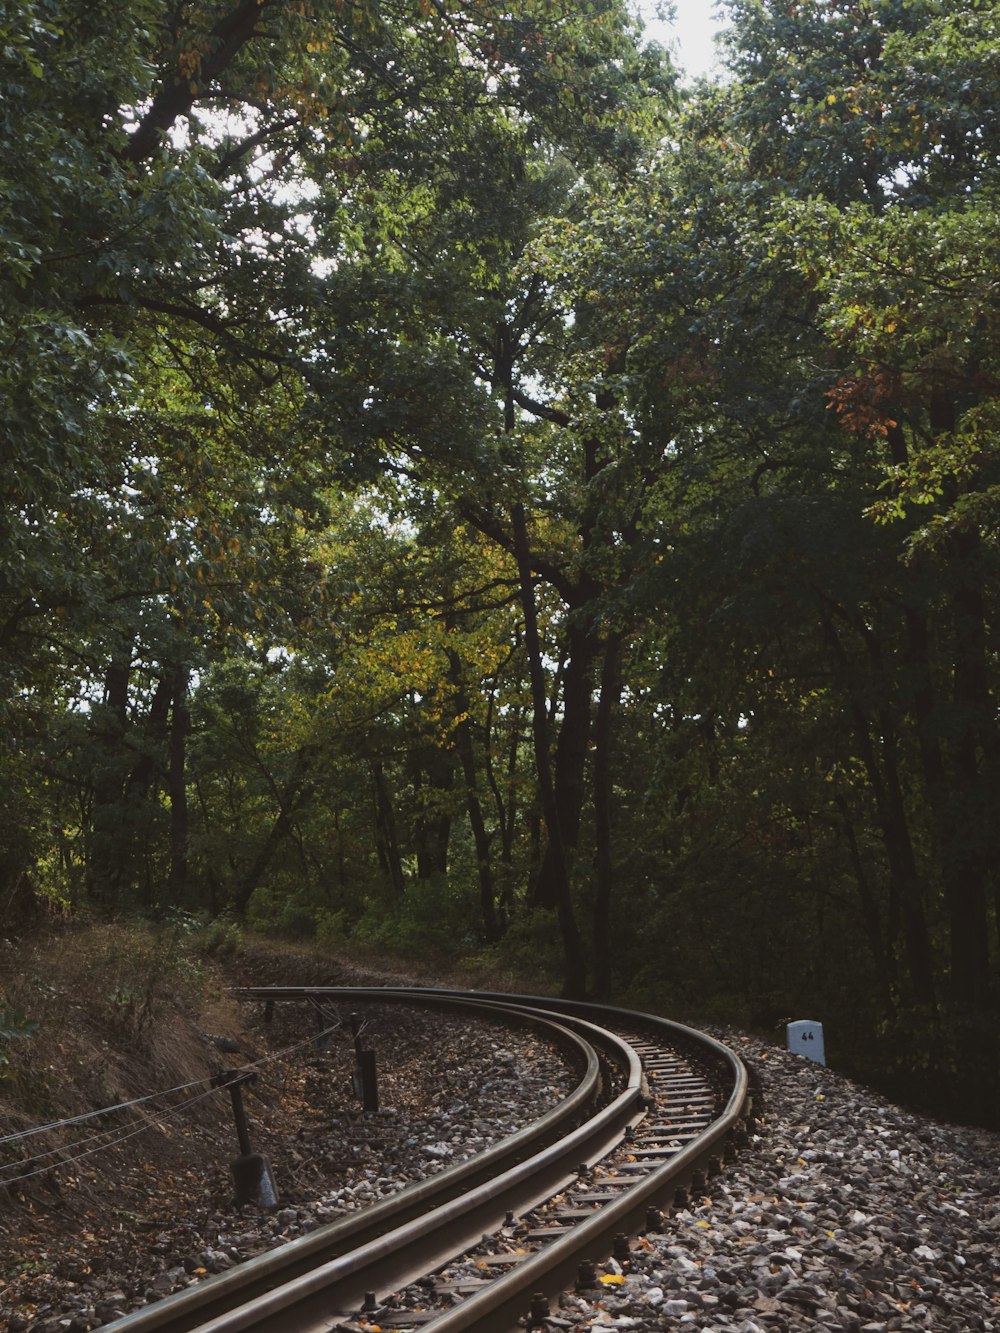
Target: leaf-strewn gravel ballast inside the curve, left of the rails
[[450, 1087]]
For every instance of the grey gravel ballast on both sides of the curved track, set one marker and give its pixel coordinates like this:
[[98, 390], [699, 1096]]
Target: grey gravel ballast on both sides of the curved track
[[843, 1214]]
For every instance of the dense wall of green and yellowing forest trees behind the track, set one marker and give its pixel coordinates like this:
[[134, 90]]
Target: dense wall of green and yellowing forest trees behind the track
[[463, 495]]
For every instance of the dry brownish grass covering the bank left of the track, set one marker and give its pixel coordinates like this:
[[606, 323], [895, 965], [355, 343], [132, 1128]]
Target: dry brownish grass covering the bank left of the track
[[123, 1011]]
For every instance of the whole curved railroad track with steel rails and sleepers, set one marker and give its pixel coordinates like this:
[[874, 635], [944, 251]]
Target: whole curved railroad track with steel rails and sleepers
[[655, 1110]]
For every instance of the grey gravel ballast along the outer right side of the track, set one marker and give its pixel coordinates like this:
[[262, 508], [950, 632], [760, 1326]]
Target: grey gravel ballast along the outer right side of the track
[[846, 1214]]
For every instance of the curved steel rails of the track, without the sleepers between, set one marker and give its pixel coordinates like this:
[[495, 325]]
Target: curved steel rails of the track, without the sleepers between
[[306, 1286]]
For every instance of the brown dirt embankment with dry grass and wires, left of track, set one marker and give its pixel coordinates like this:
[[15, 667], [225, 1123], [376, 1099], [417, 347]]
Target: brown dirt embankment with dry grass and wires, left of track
[[121, 1011]]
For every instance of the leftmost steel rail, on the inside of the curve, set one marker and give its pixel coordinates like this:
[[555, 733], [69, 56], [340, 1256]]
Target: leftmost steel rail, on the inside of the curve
[[203, 1304]]
